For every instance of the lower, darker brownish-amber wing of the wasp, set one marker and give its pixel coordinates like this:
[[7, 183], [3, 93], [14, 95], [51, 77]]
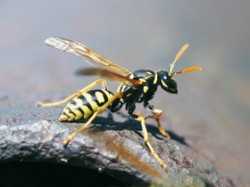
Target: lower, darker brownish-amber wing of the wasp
[[109, 75]]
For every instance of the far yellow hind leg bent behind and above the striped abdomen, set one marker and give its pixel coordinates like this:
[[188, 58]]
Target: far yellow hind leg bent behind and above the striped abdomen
[[80, 92]]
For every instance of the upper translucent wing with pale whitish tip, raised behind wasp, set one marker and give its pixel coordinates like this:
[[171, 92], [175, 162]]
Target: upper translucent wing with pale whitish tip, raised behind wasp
[[82, 50]]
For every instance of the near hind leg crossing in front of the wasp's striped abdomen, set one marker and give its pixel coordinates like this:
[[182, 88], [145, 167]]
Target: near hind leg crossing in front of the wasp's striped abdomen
[[86, 125]]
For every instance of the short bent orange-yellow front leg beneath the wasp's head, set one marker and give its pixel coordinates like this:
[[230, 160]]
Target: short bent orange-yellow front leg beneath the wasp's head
[[156, 115]]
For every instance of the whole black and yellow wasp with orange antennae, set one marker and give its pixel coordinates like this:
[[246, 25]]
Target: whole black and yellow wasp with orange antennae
[[139, 86]]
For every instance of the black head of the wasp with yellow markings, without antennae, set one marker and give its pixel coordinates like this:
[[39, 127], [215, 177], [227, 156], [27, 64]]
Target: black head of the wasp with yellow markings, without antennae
[[167, 82]]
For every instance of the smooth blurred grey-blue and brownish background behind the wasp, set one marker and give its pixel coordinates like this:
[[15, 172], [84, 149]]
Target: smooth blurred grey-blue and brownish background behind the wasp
[[212, 108]]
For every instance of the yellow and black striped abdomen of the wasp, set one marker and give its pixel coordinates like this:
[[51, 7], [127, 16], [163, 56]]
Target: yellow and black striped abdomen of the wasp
[[85, 105]]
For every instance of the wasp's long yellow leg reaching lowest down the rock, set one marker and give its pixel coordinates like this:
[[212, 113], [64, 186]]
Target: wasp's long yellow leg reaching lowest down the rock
[[147, 141]]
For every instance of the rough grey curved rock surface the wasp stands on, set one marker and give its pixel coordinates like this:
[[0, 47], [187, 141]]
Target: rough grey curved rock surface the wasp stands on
[[109, 148]]
